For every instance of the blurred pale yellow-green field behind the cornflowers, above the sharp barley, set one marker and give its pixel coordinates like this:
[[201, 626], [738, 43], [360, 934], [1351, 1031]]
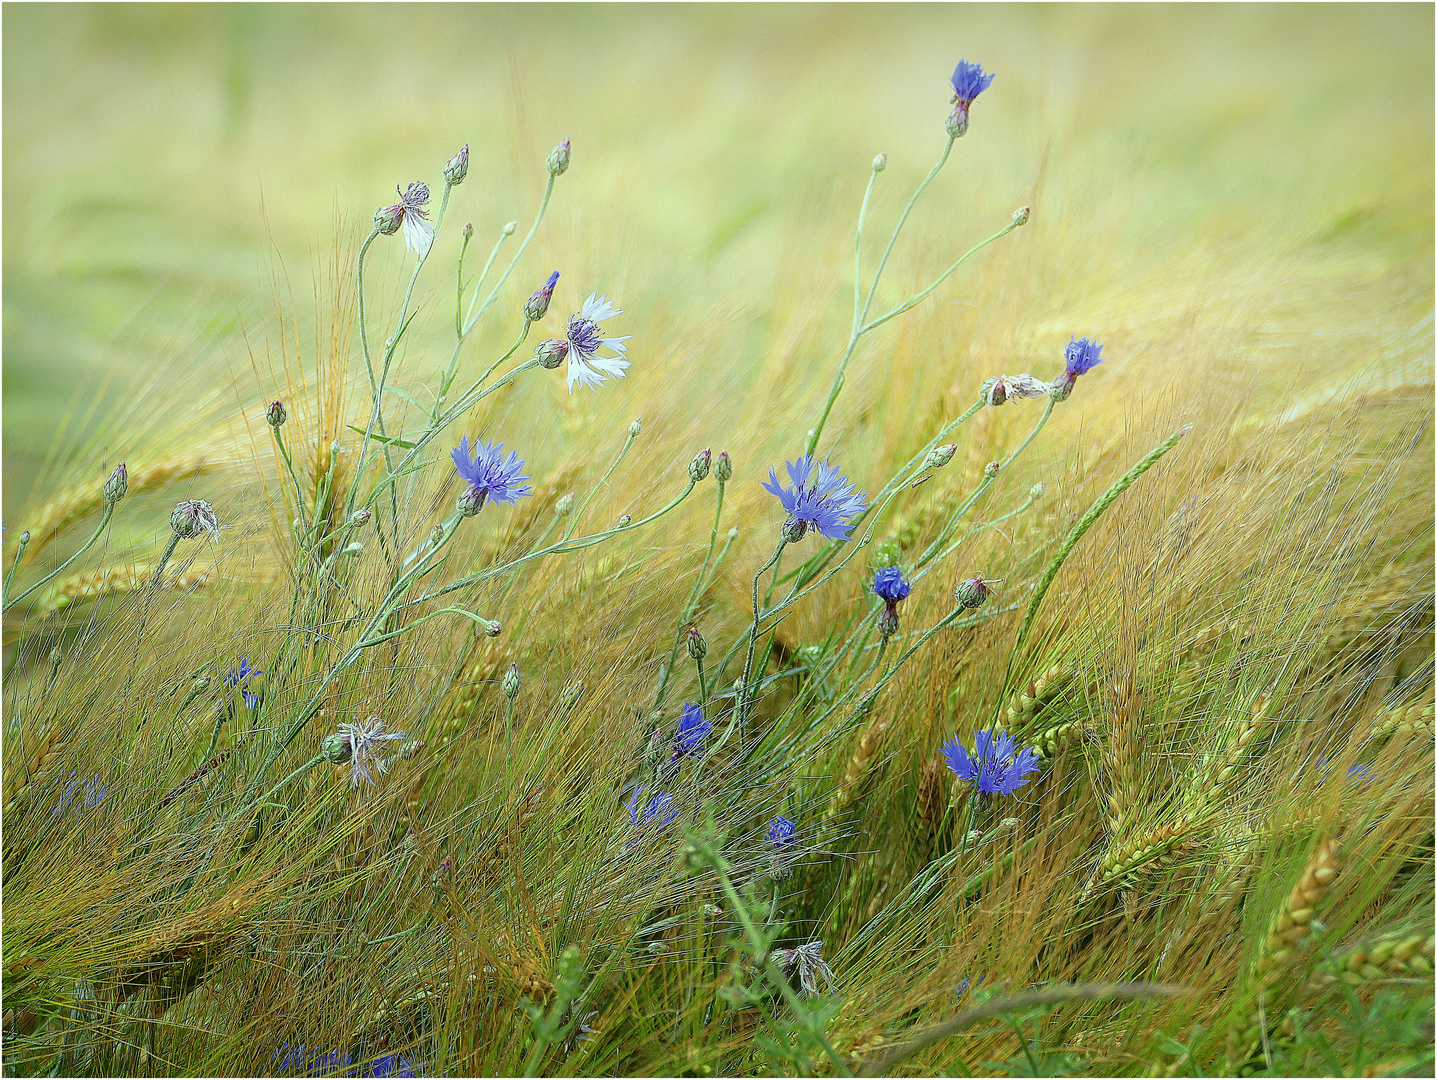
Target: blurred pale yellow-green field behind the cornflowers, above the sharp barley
[[157, 156]]
